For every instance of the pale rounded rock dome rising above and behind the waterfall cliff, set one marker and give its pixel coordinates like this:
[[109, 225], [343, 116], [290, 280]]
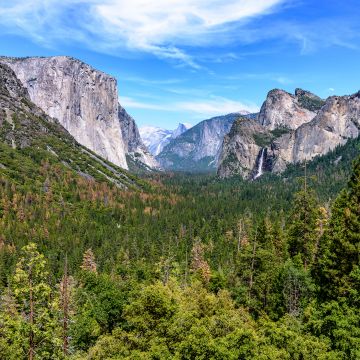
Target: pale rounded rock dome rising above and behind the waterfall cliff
[[282, 109]]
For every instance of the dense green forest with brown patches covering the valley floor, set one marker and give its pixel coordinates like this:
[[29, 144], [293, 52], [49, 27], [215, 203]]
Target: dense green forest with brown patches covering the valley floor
[[181, 266]]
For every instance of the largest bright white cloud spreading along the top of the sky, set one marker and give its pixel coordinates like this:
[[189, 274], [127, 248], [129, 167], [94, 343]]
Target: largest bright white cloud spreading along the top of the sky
[[160, 27]]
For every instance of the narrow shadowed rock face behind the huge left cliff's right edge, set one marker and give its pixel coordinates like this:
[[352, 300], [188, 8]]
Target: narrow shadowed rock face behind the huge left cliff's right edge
[[134, 146]]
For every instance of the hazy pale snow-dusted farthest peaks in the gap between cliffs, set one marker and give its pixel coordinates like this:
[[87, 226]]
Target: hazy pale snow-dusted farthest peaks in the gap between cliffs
[[156, 138]]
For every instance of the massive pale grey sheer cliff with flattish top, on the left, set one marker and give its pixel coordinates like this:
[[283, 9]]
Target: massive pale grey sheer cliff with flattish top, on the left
[[84, 100]]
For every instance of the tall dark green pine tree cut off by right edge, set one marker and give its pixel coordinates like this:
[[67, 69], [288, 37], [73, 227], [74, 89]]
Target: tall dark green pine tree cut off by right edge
[[338, 267]]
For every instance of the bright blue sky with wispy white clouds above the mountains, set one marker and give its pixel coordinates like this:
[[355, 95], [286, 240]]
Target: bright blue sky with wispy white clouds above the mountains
[[188, 60]]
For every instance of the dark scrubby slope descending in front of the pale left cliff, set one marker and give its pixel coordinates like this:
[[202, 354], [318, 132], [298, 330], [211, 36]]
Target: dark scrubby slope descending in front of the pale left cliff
[[31, 141]]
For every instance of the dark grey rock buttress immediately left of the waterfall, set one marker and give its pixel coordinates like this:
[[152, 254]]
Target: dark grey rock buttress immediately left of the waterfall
[[241, 149]]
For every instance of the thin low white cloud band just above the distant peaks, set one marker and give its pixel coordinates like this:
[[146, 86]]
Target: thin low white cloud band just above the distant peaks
[[203, 108]]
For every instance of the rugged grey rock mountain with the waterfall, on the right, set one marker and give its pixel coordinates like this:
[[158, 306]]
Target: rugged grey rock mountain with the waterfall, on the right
[[289, 129]]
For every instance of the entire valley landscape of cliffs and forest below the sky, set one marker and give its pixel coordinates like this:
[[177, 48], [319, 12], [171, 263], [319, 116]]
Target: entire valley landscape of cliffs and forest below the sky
[[111, 251]]
